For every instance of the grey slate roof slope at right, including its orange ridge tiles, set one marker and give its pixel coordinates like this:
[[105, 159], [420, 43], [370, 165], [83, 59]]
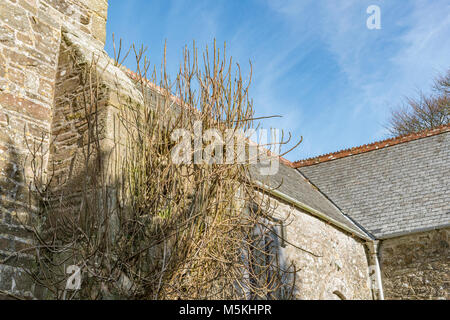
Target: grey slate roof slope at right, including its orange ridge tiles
[[391, 187]]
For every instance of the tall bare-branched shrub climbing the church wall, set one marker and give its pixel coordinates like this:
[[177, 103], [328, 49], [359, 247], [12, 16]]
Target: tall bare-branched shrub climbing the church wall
[[161, 230]]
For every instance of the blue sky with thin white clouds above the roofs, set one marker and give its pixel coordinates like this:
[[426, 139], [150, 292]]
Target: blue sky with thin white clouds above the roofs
[[315, 62]]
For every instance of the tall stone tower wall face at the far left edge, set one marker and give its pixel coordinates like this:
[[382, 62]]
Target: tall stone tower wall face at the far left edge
[[30, 41]]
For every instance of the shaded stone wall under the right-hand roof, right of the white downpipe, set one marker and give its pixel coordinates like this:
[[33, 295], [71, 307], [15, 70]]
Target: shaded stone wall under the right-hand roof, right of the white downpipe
[[416, 266]]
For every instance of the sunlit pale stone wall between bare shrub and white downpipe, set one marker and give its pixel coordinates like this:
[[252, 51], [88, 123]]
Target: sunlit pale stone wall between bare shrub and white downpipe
[[332, 264]]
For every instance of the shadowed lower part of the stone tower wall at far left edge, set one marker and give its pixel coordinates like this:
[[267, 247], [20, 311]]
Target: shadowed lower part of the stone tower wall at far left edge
[[17, 251]]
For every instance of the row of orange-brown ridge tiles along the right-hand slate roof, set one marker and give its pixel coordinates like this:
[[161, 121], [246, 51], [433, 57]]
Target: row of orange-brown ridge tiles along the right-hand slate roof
[[371, 146]]
